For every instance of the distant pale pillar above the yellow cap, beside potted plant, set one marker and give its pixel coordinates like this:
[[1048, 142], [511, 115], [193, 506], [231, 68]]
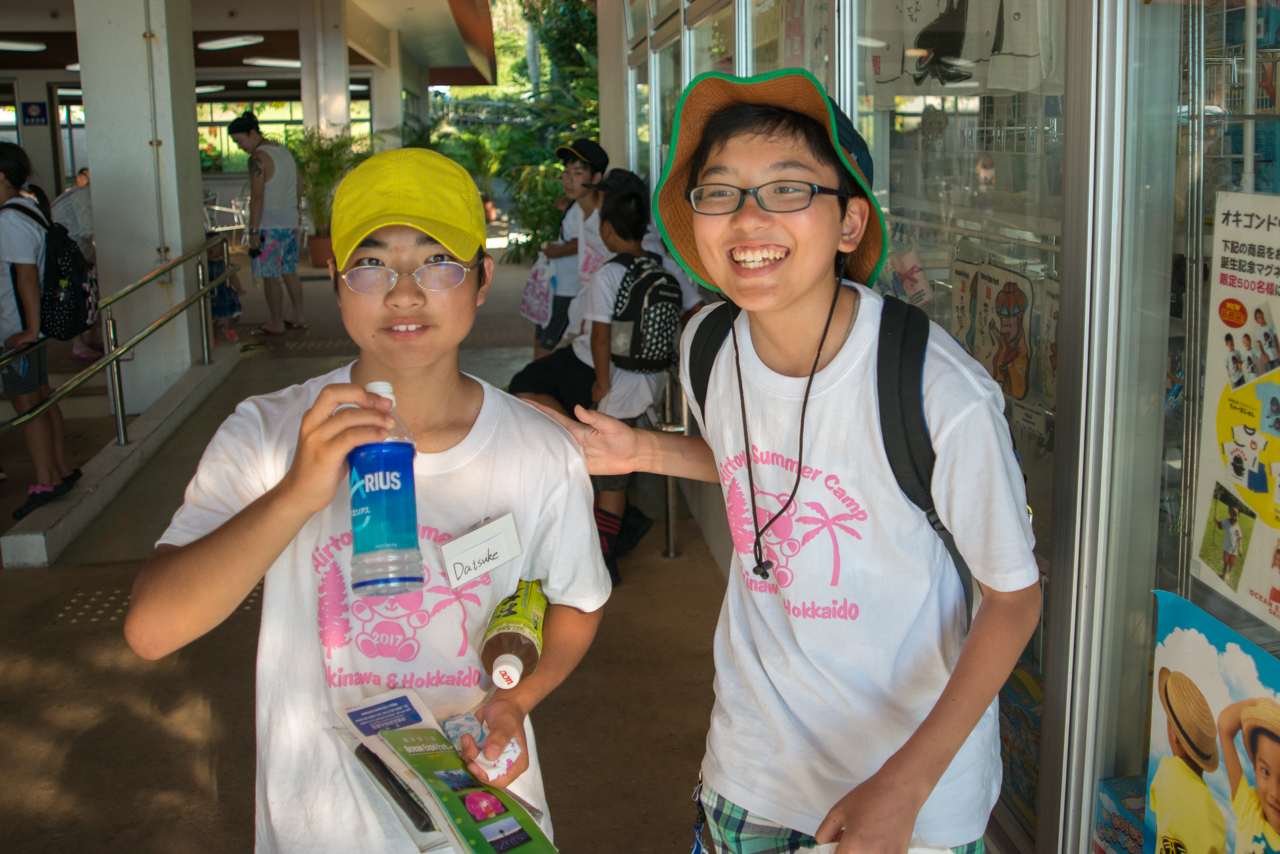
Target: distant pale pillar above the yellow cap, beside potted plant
[[324, 75]]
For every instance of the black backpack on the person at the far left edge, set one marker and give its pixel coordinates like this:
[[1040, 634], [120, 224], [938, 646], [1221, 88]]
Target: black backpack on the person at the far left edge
[[68, 289]]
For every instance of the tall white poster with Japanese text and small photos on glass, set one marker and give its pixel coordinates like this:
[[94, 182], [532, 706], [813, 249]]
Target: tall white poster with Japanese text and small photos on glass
[[1240, 471]]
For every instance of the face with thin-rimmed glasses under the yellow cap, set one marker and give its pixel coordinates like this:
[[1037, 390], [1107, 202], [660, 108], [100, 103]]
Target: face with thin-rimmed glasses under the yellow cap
[[409, 327]]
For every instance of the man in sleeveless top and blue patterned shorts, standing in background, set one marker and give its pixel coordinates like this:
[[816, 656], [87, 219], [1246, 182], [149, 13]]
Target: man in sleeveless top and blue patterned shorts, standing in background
[[273, 223]]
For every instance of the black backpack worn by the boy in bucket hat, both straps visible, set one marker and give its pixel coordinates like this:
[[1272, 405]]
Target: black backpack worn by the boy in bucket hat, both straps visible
[[904, 337]]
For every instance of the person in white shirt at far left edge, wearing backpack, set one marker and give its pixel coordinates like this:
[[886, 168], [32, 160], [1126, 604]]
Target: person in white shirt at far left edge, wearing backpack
[[26, 380]]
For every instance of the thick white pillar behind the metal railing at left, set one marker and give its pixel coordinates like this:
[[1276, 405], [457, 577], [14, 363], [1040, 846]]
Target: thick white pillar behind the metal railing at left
[[140, 89]]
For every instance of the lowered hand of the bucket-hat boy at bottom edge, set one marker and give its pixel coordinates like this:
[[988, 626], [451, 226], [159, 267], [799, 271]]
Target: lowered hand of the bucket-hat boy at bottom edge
[[877, 818]]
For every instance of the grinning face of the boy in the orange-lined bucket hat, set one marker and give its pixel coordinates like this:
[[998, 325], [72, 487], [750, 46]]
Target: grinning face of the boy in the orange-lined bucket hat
[[767, 262]]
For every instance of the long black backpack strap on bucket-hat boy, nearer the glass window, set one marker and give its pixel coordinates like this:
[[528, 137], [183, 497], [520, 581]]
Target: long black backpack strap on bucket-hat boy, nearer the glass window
[[904, 339]]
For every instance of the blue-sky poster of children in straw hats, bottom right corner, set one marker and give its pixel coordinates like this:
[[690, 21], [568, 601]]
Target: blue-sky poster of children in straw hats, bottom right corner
[[1203, 788]]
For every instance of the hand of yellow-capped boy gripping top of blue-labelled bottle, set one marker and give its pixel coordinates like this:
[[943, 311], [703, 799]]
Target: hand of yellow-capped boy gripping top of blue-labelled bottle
[[327, 437]]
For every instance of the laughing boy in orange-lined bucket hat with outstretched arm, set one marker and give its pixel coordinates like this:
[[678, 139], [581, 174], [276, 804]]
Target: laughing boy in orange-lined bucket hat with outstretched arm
[[851, 705]]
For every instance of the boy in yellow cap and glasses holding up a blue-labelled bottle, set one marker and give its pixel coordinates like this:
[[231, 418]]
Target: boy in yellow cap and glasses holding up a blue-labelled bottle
[[267, 503]]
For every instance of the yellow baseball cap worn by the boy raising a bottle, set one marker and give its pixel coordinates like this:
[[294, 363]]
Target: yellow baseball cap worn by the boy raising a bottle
[[413, 188]]
